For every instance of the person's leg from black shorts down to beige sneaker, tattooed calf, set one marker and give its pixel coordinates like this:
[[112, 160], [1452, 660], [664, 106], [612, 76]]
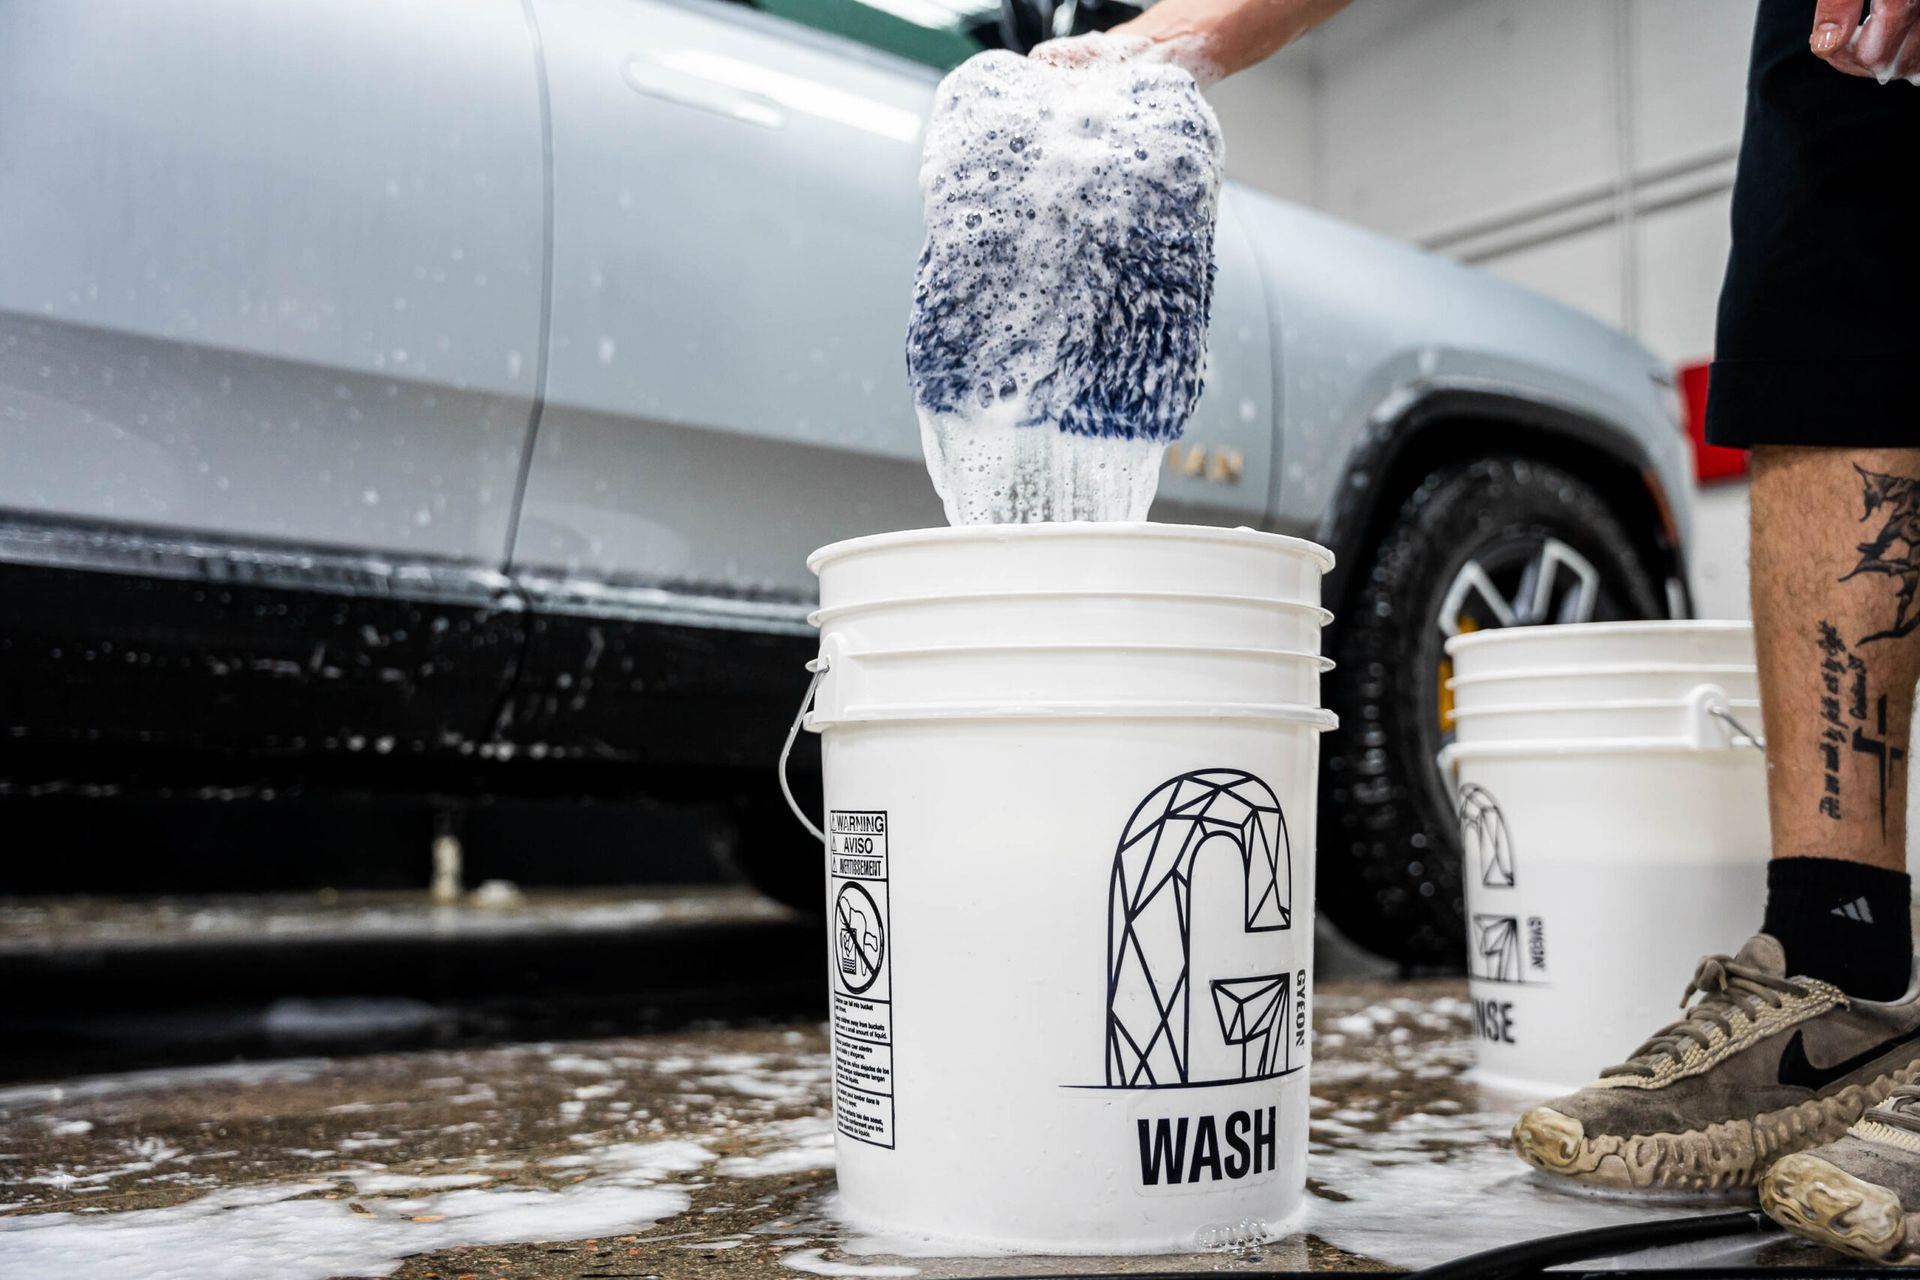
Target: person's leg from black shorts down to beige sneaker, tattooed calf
[[1806, 1028]]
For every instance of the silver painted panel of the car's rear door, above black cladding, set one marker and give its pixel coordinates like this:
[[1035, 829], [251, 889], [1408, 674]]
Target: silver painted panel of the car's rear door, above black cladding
[[274, 272]]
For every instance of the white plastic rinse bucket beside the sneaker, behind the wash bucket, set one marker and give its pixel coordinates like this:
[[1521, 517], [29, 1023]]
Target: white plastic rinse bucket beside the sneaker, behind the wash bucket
[[1610, 841]]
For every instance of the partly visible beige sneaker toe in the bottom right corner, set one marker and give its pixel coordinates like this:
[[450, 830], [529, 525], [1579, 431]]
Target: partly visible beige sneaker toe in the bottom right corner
[[1858, 1195]]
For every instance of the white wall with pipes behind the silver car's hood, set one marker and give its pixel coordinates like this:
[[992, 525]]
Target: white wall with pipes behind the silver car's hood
[[1579, 147]]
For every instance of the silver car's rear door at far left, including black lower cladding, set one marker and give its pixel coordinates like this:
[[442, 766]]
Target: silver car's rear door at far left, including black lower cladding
[[270, 339]]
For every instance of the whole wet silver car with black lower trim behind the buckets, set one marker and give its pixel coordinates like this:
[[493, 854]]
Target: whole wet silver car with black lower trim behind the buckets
[[443, 396]]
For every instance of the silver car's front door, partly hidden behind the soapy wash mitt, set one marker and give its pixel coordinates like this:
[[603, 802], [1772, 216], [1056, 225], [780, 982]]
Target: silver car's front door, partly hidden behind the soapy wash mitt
[[736, 231]]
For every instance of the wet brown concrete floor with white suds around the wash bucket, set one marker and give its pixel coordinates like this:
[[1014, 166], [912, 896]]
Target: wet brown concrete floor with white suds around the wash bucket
[[702, 1150]]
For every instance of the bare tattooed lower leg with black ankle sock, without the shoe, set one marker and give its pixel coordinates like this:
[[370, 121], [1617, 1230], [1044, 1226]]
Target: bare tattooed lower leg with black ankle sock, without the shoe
[[1838, 632]]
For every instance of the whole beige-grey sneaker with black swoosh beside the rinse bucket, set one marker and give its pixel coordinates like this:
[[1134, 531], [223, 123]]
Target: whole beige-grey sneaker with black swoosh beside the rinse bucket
[[1762, 1066]]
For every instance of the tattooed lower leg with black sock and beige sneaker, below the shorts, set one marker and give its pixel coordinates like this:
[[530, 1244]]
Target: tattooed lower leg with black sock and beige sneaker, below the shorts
[[1806, 1028]]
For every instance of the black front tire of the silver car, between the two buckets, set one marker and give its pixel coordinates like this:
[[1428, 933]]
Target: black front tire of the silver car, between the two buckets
[[1389, 843]]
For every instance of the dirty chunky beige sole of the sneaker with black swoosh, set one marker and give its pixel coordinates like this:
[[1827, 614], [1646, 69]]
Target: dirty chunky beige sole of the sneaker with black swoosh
[[1725, 1156]]
